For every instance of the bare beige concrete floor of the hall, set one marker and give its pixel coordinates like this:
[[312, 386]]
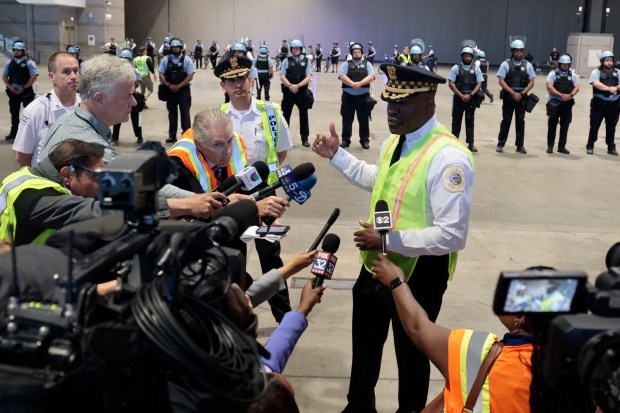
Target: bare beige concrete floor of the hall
[[527, 210]]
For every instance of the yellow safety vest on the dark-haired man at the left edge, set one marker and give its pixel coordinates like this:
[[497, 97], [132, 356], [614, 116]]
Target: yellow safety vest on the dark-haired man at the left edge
[[10, 189]]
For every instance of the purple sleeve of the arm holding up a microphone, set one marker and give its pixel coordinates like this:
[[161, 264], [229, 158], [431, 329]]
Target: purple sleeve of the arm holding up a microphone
[[283, 340]]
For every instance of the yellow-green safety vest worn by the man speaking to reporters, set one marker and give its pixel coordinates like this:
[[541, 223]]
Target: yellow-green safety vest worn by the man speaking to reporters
[[403, 186]]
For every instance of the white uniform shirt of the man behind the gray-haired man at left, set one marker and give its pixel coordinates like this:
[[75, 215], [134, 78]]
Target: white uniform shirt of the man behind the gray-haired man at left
[[32, 123]]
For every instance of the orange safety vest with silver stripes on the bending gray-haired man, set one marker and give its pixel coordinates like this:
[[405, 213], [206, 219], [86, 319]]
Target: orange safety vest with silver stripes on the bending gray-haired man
[[185, 149]]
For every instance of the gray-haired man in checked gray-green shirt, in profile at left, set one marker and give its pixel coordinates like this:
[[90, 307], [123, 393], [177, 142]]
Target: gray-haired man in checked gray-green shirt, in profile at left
[[106, 89]]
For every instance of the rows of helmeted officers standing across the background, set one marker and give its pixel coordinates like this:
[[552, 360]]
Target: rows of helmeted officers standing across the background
[[174, 65]]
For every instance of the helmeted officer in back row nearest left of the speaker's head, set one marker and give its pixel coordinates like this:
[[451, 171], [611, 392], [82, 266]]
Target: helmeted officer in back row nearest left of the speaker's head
[[356, 76]]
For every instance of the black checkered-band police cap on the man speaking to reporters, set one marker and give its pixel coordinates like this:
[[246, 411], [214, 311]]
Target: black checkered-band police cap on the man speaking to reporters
[[404, 81]]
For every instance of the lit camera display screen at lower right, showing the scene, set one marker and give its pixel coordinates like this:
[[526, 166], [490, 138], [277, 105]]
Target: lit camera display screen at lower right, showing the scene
[[547, 295]]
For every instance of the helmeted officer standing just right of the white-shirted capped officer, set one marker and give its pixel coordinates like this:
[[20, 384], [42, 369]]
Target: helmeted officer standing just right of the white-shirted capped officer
[[296, 74]]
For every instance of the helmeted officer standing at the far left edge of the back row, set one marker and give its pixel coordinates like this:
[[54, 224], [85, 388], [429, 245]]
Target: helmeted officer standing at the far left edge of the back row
[[19, 74]]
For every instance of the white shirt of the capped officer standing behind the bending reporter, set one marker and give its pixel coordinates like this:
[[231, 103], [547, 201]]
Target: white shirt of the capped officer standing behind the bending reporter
[[249, 124]]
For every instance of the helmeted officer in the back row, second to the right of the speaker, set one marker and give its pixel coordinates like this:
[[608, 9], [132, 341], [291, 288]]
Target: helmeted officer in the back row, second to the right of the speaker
[[516, 78]]
